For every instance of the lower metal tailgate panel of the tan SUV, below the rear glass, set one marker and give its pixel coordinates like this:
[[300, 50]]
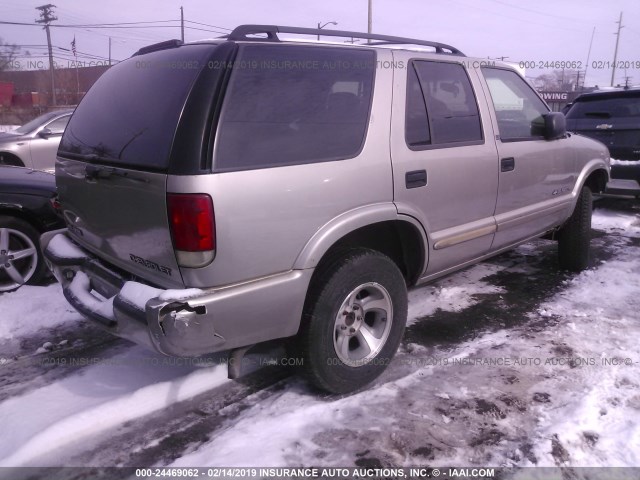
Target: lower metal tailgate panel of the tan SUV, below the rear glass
[[121, 216]]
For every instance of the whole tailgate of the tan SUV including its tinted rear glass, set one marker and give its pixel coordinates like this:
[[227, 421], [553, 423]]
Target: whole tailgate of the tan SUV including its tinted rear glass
[[115, 156]]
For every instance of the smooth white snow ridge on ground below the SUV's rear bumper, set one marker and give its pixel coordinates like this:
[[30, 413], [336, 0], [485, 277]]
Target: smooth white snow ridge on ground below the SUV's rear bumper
[[77, 408]]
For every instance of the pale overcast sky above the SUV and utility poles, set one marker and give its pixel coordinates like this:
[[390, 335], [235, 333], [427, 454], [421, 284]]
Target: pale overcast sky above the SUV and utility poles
[[531, 31]]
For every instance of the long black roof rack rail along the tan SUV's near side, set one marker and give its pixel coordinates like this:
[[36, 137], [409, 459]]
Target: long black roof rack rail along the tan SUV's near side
[[243, 32]]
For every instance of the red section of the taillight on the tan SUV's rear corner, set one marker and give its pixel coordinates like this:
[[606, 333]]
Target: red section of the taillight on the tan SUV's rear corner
[[192, 222]]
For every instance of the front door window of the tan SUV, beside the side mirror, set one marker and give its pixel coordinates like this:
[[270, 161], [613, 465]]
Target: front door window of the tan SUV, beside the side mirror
[[519, 110]]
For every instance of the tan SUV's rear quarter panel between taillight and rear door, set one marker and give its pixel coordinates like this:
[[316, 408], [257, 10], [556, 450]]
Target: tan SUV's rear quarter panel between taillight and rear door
[[265, 217]]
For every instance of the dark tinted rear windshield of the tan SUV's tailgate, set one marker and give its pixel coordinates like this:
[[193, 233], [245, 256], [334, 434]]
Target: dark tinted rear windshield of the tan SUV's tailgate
[[129, 116]]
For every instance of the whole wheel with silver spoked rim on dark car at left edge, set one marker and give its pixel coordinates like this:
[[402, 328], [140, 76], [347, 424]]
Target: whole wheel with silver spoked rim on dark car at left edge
[[20, 256]]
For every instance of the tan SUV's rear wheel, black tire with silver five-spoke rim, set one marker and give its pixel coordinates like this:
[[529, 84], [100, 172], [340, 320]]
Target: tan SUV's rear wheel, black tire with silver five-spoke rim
[[376, 288]]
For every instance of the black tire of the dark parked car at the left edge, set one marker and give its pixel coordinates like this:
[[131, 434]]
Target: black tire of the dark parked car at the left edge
[[22, 236]]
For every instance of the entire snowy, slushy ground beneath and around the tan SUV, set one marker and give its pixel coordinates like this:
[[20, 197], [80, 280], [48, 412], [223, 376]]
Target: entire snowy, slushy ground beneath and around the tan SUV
[[507, 363]]
